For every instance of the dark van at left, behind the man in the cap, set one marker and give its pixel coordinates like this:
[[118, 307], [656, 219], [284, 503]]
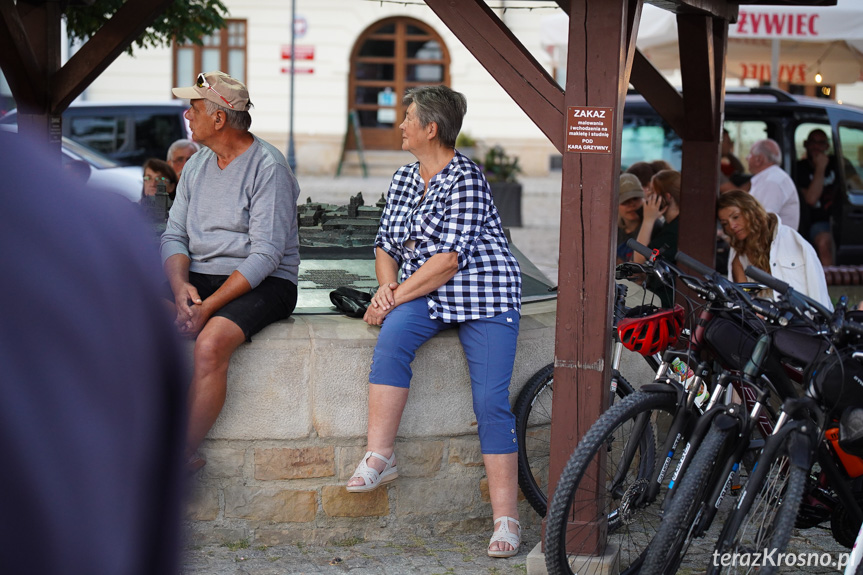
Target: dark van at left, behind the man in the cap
[[128, 133]]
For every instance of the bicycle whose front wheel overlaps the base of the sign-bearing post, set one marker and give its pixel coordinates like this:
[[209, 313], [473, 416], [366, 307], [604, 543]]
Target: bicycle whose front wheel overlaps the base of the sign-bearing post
[[633, 477]]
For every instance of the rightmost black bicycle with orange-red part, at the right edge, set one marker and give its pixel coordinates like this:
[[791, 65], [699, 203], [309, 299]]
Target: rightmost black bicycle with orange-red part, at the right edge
[[771, 504]]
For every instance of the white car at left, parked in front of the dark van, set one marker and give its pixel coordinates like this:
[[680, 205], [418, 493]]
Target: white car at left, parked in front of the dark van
[[97, 171]]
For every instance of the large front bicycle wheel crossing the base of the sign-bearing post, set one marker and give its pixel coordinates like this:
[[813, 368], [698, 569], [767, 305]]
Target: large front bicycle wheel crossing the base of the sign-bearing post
[[613, 490]]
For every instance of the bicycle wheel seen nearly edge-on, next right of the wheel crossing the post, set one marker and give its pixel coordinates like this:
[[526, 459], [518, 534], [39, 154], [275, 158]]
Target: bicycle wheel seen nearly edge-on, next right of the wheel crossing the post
[[667, 548]]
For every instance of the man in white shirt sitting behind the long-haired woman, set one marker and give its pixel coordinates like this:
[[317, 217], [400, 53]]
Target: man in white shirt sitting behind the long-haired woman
[[771, 186]]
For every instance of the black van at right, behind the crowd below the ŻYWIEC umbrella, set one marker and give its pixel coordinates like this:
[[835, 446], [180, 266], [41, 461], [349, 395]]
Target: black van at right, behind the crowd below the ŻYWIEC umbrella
[[757, 113]]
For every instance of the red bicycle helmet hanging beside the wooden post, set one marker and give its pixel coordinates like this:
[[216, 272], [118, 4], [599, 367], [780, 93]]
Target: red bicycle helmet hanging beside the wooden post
[[648, 330]]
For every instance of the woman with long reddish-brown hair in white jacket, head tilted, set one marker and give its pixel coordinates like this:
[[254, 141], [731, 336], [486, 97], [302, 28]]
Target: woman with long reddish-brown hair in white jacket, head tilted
[[761, 240]]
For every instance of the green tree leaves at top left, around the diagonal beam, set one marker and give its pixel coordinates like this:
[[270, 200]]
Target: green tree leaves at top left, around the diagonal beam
[[187, 20]]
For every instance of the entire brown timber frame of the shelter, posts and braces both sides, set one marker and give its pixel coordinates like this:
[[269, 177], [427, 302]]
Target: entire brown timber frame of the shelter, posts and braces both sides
[[601, 63]]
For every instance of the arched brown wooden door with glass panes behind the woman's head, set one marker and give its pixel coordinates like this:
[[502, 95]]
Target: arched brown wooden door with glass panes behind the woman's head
[[389, 57]]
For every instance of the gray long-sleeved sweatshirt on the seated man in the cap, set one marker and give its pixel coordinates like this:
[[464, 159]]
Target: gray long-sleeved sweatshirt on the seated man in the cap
[[242, 218]]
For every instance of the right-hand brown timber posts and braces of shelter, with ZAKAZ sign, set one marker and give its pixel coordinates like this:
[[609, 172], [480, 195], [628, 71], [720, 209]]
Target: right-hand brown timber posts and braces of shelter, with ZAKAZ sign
[[601, 63]]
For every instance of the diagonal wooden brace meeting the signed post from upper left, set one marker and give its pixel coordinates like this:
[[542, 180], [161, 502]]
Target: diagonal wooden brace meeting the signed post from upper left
[[508, 61]]
